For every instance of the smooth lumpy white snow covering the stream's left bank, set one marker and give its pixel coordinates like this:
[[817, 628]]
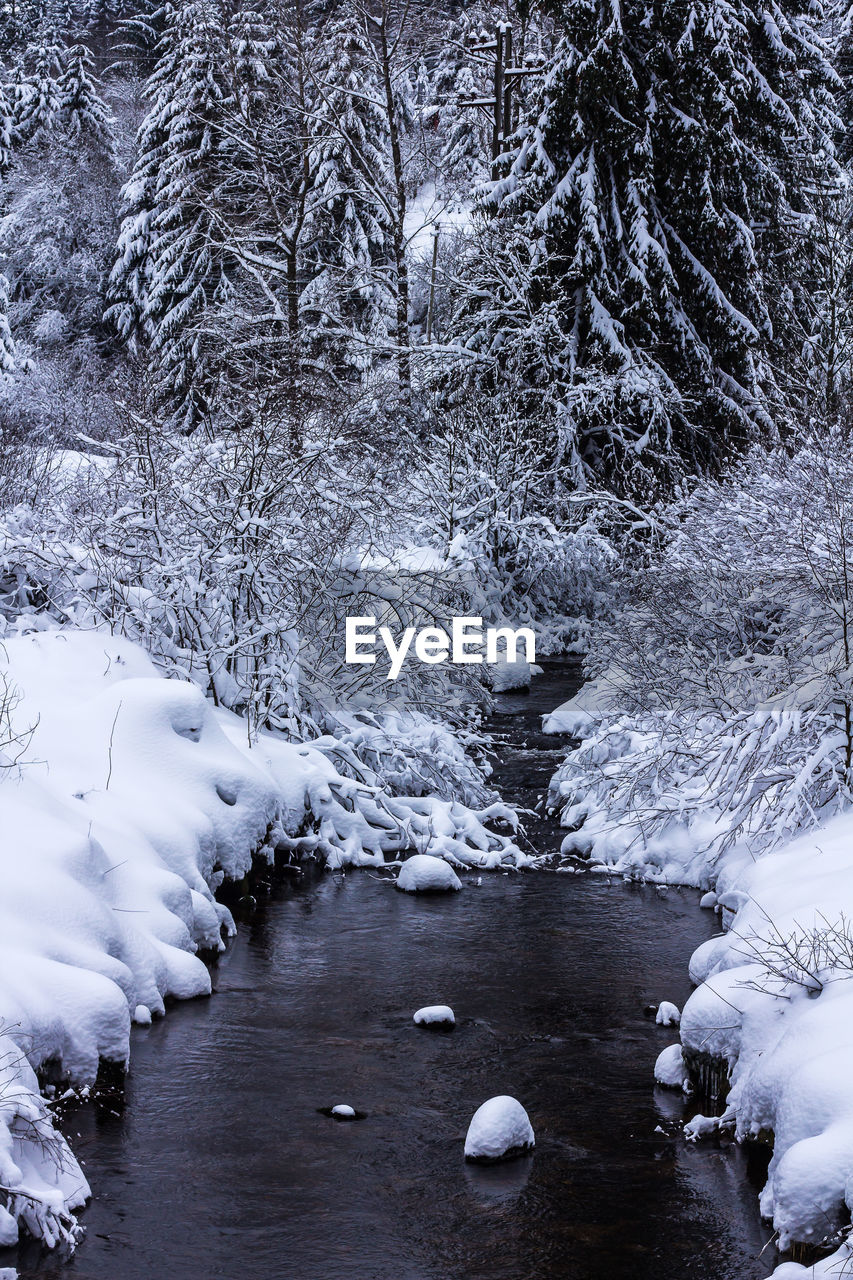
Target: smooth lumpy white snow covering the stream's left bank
[[125, 801]]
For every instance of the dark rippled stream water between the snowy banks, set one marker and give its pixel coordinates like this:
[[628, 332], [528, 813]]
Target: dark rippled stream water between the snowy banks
[[222, 1167]]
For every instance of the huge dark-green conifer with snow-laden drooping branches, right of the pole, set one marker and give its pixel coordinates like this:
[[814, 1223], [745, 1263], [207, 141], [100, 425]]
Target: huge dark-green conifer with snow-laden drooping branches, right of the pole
[[647, 217]]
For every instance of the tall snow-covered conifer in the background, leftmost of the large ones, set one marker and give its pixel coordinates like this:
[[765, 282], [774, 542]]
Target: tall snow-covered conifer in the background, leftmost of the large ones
[[174, 263]]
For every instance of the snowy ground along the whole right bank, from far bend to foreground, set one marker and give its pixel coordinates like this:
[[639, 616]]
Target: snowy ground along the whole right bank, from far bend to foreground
[[774, 998]]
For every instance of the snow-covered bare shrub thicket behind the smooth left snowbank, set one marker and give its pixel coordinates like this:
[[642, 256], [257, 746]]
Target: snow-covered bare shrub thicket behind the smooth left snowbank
[[235, 564]]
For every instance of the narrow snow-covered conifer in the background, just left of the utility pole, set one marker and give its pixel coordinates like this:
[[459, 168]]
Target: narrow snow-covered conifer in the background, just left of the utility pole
[[349, 304]]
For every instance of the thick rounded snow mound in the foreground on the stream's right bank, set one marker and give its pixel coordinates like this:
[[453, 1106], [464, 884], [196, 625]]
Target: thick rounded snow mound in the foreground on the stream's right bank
[[776, 1004]]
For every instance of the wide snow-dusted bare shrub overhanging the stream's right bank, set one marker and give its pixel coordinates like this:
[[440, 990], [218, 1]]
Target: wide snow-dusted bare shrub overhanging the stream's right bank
[[724, 705]]
